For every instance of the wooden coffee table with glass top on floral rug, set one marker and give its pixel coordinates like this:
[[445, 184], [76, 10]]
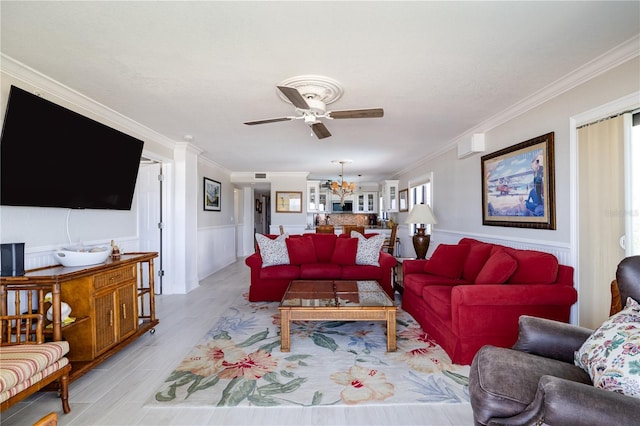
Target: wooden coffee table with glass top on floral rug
[[324, 300]]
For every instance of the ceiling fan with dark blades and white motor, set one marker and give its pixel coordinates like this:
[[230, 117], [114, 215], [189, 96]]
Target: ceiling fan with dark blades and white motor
[[311, 106]]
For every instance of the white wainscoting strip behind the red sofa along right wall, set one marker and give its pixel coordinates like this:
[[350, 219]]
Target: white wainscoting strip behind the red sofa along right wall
[[560, 251]]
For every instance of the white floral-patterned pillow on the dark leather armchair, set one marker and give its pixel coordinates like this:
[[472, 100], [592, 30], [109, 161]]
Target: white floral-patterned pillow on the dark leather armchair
[[611, 355]]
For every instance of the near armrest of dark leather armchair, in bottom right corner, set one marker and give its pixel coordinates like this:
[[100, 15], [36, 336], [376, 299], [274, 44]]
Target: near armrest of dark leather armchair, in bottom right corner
[[563, 402]]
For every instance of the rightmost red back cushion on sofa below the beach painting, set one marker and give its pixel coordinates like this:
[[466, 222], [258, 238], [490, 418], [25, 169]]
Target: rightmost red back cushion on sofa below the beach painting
[[534, 267]]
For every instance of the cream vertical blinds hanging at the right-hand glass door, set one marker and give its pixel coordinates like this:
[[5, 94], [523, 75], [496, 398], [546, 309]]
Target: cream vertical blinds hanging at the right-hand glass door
[[601, 203]]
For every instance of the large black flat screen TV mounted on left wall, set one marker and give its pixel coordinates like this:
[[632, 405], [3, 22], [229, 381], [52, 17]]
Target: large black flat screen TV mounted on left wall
[[51, 156]]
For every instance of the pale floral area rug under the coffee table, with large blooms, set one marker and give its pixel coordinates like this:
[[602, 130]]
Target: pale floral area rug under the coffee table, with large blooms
[[239, 363]]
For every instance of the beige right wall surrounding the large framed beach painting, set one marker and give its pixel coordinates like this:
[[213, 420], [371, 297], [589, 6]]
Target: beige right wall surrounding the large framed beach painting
[[457, 184]]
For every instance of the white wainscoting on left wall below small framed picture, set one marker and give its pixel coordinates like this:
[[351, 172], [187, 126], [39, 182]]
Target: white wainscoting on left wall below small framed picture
[[216, 249]]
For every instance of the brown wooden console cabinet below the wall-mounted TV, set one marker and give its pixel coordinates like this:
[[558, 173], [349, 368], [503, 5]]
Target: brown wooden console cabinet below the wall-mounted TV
[[113, 304]]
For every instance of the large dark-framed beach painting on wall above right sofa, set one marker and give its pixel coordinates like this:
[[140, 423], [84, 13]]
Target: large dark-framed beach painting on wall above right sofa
[[518, 187]]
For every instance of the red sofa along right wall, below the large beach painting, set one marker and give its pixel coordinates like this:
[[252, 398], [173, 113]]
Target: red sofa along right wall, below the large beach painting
[[473, 293]]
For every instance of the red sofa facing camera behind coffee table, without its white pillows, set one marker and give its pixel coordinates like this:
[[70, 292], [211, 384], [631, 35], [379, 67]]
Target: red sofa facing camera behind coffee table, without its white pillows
[[315, 256]]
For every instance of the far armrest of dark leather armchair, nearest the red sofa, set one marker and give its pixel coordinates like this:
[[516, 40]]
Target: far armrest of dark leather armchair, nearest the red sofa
[[550, 339]]
